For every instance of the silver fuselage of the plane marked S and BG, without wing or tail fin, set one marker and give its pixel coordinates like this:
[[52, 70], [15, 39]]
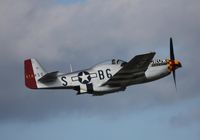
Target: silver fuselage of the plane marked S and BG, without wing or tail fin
[[101, 73]]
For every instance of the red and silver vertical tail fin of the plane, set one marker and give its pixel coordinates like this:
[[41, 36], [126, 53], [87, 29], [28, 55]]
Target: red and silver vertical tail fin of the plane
[[33, 72]]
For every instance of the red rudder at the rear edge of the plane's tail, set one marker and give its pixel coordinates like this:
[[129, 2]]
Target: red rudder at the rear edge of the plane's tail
[[29, 75]]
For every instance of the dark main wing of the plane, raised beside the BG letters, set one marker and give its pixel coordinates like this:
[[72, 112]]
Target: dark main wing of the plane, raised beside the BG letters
[[135, 68]]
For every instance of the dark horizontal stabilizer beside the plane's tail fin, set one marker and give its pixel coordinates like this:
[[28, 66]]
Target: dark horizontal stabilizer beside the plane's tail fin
[[49, 77]]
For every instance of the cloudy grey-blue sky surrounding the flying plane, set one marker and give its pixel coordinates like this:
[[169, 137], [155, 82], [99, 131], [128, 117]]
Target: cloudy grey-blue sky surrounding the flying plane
[[83, 33]]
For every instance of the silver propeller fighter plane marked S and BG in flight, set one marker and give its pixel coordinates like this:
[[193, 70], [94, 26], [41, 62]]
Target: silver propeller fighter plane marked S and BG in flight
[[103, 78]]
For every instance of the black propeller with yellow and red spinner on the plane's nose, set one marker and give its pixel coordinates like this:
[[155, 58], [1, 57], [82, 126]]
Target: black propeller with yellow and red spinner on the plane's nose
[[174, 63]]
